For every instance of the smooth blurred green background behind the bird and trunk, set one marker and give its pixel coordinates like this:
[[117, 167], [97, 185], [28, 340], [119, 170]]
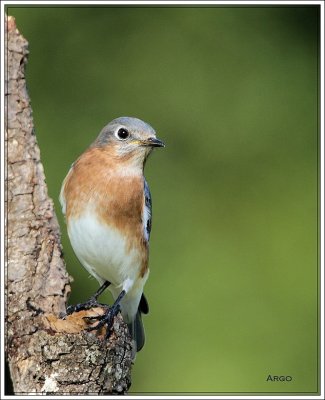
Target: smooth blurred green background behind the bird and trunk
[[233, 91]]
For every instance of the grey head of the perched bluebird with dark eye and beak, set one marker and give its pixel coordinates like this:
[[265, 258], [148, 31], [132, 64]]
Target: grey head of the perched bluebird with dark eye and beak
[[128, 138]]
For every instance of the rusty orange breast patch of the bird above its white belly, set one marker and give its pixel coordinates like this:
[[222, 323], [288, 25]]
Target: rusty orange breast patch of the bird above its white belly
[[96, 180]]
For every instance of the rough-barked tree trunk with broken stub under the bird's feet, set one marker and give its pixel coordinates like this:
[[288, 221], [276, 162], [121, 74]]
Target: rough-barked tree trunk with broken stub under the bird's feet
[[45, 354]]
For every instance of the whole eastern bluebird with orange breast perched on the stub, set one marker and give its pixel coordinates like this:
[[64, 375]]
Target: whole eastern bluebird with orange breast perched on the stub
[[107, 204]]
